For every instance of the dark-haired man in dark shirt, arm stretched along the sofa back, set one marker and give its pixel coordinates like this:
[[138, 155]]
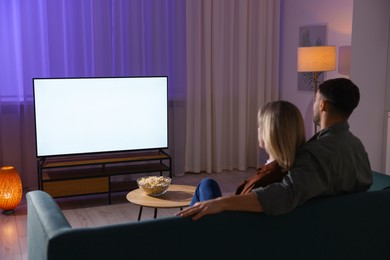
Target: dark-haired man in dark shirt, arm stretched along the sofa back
[[332, 162]]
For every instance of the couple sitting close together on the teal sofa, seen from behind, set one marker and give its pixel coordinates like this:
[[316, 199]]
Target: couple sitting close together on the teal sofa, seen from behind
[[332, 162]]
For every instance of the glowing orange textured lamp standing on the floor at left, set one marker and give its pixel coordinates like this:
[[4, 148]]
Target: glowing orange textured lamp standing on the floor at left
[[10, 189]]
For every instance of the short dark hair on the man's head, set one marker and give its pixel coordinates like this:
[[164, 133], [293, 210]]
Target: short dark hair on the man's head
[[342, 93]]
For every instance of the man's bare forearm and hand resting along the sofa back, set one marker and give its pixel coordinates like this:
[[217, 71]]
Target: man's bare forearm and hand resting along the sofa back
[[245, 202]]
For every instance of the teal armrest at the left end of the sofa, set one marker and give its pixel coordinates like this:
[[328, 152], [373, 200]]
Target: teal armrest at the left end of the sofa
[[45, 219]]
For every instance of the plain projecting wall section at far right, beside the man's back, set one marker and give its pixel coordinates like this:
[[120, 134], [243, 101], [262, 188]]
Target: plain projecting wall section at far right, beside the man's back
[[369, 70]]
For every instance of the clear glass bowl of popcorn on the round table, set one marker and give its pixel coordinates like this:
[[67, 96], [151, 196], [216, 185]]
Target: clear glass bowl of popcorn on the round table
[[154, 185]]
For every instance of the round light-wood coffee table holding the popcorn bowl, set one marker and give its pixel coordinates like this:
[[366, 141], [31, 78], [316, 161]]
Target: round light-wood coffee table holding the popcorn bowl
[[177, 196]]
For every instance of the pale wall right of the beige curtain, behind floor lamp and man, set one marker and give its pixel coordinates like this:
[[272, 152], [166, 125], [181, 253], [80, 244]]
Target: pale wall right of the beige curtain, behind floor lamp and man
[[367, 70]]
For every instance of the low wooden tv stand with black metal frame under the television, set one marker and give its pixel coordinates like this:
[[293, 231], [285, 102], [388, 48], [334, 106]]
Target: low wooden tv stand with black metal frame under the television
[[93, 174]]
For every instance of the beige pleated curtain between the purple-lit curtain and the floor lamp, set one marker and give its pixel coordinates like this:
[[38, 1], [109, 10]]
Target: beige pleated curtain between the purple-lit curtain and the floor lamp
[[232, 69]]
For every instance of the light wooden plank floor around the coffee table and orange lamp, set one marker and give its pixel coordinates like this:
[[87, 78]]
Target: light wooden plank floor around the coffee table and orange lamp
[[90, 211]]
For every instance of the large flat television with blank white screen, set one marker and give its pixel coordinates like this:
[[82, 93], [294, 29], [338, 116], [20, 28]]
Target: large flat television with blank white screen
[[97, 115]]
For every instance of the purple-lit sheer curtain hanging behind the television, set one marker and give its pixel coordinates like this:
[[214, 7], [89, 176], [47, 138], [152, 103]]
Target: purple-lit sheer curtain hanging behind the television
[[84, 38]]
